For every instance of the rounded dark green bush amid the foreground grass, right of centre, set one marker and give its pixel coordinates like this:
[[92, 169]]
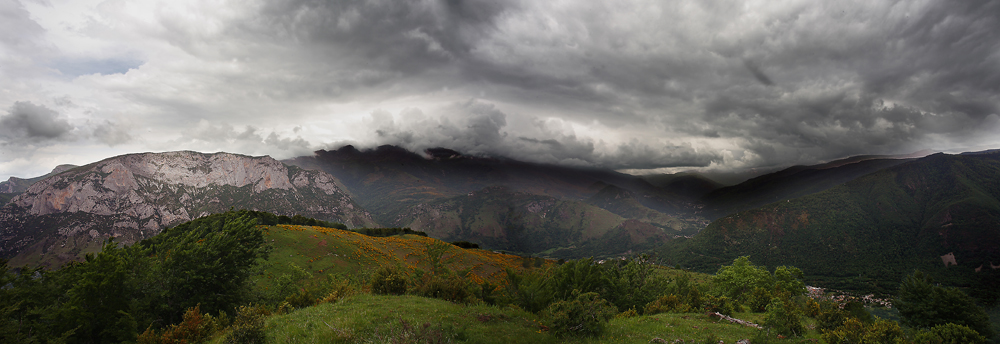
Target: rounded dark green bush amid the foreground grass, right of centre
[[585, 315]]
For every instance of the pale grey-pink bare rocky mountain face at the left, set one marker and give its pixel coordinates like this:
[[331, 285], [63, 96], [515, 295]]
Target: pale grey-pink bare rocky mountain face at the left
[[132, 197]]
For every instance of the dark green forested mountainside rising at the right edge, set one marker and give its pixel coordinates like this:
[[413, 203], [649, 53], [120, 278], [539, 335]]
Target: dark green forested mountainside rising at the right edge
[[869, 232]]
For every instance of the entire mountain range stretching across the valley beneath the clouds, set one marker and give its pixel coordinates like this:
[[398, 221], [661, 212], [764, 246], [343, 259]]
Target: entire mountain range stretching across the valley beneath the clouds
[[858, 223]]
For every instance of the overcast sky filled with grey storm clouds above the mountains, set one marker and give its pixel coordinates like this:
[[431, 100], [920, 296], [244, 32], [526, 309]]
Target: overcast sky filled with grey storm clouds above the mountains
[[629, 85]]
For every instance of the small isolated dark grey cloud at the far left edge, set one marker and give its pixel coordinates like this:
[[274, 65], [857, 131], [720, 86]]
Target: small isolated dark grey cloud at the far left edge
[[28, 122]]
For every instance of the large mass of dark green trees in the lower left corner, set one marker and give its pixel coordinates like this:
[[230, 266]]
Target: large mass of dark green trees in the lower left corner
[[110, 295]]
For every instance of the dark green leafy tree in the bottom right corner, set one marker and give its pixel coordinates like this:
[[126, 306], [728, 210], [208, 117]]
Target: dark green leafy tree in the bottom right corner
[[923, 305]]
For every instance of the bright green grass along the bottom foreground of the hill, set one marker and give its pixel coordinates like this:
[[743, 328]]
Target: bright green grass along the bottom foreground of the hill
[[367, 318]]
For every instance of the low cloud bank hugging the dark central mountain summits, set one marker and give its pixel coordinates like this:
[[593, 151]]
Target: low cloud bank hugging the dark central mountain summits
[[480, 128]]
